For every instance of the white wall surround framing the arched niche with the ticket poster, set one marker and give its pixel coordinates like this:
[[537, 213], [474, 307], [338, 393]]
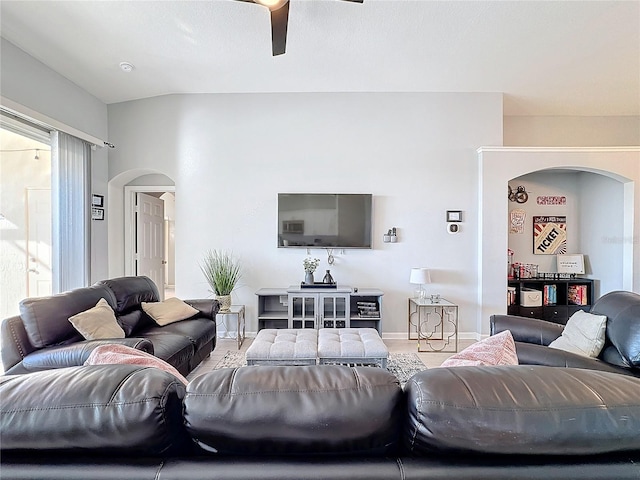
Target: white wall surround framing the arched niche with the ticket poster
[[500, 165]]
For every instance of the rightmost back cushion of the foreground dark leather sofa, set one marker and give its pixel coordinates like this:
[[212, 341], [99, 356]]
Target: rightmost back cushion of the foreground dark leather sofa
[[528, 410]]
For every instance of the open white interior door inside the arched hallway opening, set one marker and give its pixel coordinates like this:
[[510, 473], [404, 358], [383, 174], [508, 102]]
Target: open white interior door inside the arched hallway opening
[[150, 239]]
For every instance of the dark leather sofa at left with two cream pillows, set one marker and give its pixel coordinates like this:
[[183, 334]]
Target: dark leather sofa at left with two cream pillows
[[42, 337]]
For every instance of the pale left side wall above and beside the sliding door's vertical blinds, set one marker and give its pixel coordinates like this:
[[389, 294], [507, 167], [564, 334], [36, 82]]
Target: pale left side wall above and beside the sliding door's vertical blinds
[[32, 84]]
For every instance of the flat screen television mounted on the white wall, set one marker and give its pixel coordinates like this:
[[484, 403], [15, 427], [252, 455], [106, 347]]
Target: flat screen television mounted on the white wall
[[324, 220]]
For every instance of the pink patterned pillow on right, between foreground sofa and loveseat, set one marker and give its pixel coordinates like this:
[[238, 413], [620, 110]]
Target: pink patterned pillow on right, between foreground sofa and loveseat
[[497, 350]]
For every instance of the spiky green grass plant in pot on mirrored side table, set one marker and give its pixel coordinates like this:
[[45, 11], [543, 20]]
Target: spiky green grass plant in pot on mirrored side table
[[222, 272]]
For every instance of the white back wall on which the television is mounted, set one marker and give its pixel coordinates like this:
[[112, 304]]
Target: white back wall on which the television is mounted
[[231, 154]]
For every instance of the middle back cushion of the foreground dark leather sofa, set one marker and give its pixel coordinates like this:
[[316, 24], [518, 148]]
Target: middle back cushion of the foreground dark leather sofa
[[289, 410]]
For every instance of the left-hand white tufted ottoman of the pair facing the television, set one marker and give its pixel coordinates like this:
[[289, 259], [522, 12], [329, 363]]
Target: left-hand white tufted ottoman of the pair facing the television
[[284, 346]]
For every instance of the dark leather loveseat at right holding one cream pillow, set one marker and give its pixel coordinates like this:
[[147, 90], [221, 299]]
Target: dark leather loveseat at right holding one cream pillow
[[621, 351]]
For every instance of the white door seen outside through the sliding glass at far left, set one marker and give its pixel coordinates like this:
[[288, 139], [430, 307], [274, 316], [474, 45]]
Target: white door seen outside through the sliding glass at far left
[[39, 276]]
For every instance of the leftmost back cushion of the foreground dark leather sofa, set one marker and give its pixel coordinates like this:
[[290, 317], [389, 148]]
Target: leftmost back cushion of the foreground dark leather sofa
[[123, 410]]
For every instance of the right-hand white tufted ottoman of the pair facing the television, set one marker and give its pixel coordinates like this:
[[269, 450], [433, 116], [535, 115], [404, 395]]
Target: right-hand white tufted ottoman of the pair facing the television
[[351, 345]]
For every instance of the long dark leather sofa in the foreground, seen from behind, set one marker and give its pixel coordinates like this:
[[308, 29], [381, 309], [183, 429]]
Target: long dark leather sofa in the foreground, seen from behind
[[320, 422]]
